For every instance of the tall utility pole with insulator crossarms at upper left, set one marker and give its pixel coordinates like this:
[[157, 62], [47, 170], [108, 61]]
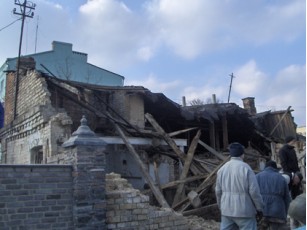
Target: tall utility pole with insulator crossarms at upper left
[[26, 12]]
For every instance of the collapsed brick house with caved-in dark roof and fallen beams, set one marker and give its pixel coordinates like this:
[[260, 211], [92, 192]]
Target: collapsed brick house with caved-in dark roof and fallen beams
[[181, 147]]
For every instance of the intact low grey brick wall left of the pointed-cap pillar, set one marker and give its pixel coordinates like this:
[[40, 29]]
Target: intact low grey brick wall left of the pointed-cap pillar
[[36, 197]]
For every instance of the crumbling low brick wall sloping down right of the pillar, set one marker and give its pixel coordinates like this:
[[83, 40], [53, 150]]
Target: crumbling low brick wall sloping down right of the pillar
[[128, 208]]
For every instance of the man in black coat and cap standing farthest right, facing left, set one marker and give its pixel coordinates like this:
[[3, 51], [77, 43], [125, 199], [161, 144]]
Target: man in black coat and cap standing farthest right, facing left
[[289, 164]]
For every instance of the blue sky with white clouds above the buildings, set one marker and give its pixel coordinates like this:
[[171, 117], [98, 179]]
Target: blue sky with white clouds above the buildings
[[179, 48]]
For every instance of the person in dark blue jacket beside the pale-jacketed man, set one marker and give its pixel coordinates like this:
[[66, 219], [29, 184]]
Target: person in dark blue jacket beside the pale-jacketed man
[[275, 194]]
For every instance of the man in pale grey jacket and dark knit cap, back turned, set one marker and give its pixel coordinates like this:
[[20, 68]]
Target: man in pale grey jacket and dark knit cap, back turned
[[237, 192]]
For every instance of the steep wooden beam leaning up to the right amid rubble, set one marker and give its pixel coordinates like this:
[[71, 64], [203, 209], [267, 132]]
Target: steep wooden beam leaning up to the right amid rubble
[[186, 166]]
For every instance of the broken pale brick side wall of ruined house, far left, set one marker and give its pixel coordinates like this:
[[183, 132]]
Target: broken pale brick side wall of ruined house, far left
[[38, 129]]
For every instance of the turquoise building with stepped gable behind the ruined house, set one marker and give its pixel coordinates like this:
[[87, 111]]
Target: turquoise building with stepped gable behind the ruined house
[[66, 64]]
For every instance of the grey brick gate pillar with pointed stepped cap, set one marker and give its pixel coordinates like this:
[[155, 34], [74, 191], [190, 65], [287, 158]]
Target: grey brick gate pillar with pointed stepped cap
[[86, 153]]
